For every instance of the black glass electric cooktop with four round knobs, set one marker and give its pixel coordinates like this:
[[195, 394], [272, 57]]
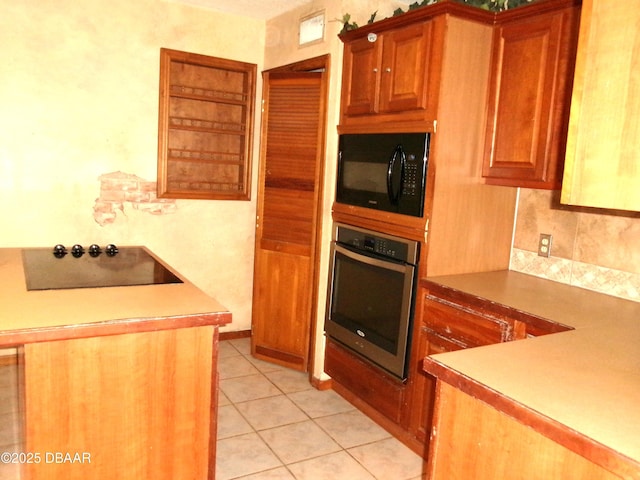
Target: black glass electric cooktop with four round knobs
[[59, 268]]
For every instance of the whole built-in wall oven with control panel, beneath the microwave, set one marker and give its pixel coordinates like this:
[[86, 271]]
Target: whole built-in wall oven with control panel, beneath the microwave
[[371, 295]]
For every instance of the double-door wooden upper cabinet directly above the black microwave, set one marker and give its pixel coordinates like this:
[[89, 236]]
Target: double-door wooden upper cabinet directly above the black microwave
[[392, 75]]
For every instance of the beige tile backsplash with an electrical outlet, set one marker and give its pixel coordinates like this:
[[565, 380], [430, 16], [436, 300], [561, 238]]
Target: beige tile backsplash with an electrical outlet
[[591, 248]]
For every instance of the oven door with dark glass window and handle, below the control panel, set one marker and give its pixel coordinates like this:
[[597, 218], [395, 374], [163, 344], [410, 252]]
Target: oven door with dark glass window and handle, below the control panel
[[371, 306]]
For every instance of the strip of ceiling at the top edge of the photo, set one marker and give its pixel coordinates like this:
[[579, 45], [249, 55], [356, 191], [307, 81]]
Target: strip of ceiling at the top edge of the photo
[[261, 9]]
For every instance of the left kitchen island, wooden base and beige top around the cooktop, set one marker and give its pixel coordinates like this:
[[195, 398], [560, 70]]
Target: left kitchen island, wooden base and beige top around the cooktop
[[115, 382]]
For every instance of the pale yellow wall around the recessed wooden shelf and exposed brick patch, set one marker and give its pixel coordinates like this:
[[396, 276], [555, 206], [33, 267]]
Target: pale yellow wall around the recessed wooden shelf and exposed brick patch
[[79, 99]]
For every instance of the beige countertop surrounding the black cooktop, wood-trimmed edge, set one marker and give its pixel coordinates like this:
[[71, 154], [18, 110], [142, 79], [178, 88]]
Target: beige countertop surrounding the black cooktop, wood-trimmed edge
[[39, 315]]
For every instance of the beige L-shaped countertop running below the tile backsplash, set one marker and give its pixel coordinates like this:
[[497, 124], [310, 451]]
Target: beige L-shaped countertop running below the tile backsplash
[[587, 379]]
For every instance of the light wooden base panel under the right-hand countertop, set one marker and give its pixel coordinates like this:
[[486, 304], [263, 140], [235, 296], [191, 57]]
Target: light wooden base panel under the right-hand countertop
[[471, 439]]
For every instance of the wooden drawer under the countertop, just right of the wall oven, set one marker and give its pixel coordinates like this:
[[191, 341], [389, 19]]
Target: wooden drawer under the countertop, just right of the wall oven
[[463, 325]]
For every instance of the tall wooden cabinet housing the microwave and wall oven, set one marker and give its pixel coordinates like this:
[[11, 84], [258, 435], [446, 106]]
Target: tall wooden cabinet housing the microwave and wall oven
[[467, 224]]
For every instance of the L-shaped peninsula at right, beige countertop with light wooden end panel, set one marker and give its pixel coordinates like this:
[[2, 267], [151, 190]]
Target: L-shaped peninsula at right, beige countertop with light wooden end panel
[[563, 405]]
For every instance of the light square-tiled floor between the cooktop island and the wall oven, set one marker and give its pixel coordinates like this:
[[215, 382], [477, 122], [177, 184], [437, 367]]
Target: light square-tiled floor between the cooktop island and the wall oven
[[273, 425]]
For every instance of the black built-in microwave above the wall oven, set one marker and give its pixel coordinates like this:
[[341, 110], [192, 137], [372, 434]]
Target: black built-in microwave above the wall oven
[[383, 171]]
